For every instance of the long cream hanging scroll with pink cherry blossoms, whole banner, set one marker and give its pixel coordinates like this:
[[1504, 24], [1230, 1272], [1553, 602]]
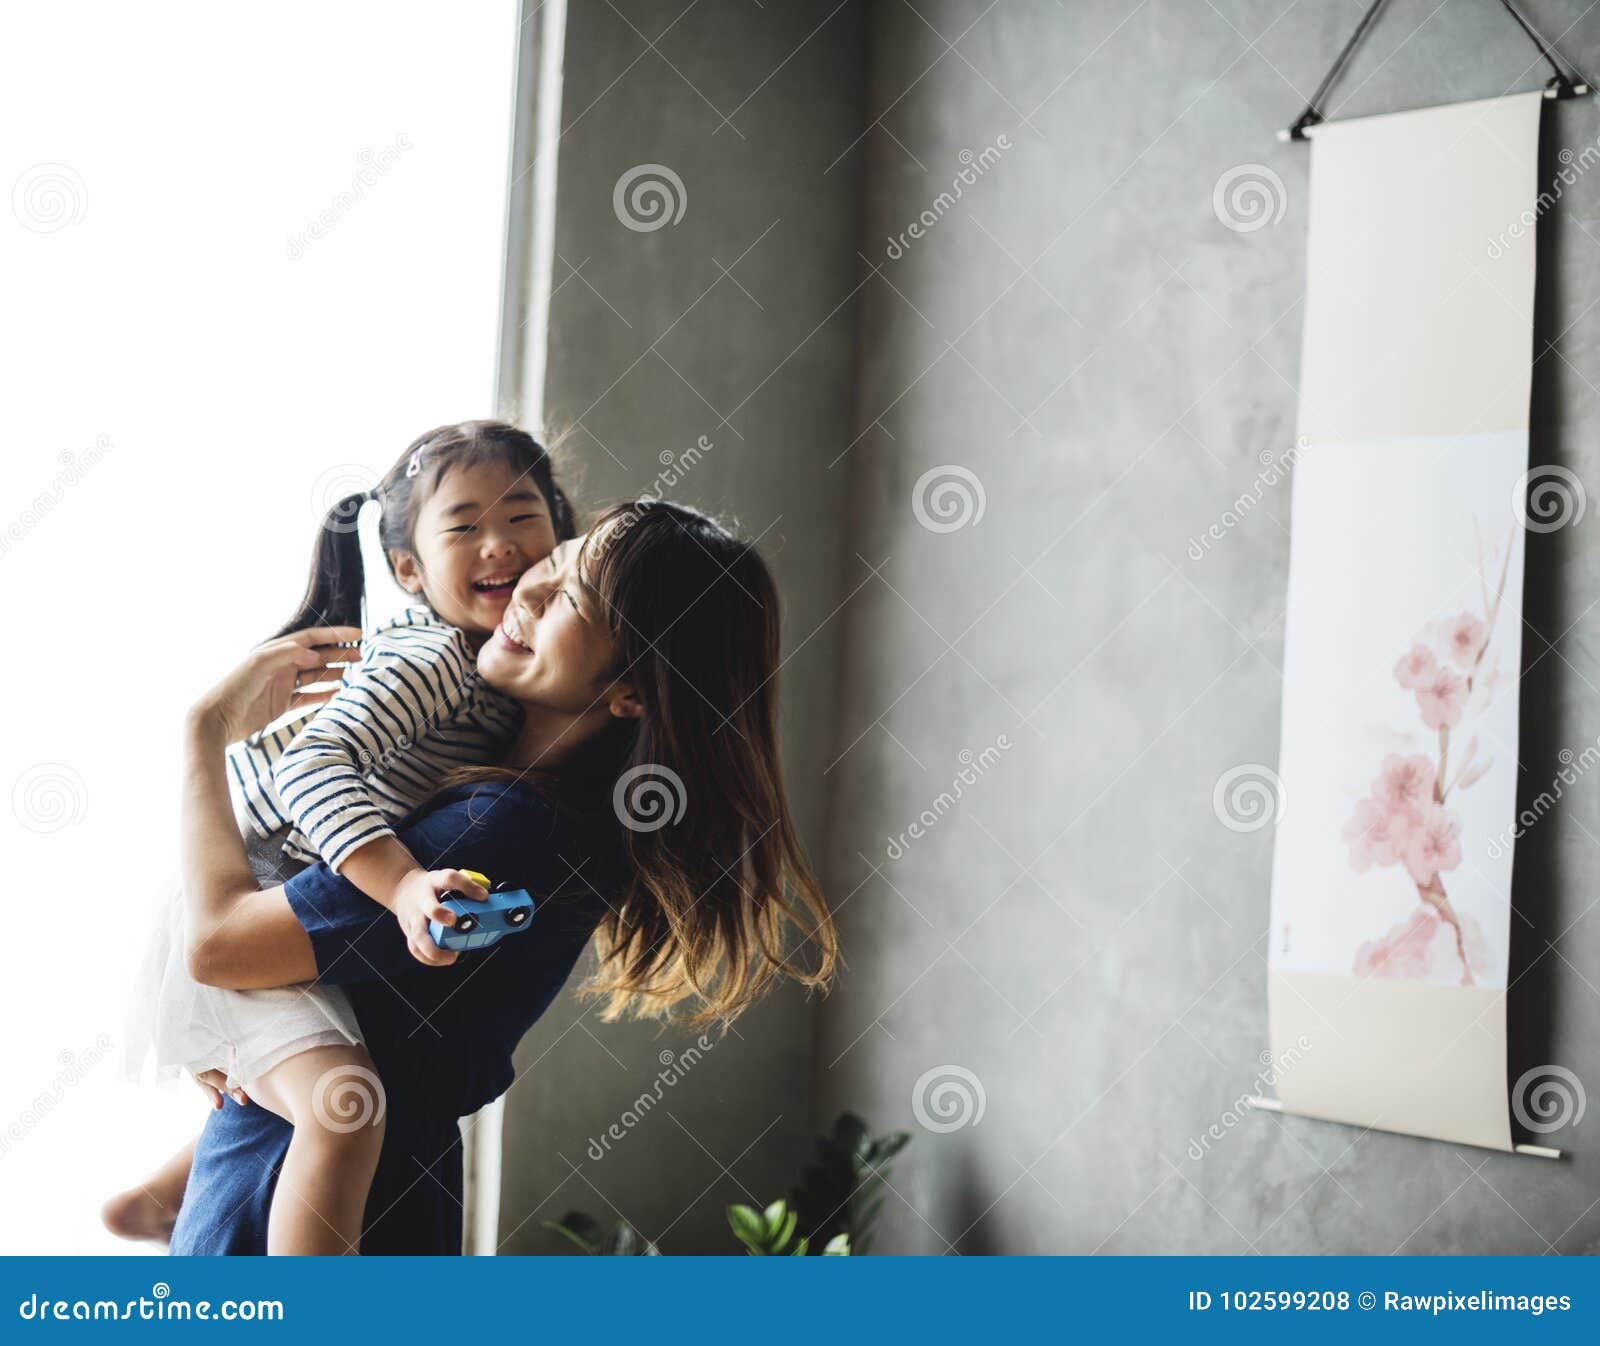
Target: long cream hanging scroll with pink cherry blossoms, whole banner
[[1391, 886]]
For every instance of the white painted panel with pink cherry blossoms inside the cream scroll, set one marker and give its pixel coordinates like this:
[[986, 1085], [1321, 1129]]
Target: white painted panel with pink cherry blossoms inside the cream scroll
[[1401, 739]]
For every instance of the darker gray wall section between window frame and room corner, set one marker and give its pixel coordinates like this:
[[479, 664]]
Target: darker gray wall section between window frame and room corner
[[655, 347]]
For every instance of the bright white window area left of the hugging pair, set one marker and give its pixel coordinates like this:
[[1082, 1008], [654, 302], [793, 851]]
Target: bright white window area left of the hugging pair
[[247, 255]]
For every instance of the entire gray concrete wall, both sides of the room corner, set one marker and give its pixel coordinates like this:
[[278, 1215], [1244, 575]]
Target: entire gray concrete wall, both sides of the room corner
[[1081, 334]]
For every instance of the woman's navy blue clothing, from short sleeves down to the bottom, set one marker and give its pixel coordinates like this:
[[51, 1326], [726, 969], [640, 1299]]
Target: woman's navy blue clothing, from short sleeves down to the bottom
[[442, 1040]]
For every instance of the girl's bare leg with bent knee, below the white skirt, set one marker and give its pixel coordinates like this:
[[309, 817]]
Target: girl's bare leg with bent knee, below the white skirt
[[334, 1099]]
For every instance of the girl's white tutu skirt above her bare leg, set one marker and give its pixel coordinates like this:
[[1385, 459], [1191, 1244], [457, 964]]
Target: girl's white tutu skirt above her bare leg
[[194, 1028]]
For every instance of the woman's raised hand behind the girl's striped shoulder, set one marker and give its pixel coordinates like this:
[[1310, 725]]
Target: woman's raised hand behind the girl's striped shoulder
[[271, 679]]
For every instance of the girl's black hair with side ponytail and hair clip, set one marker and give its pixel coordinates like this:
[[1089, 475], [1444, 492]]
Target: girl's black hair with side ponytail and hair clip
[[334, 595]]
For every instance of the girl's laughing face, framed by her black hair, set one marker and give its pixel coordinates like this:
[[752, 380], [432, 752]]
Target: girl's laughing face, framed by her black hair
[[474, 539]]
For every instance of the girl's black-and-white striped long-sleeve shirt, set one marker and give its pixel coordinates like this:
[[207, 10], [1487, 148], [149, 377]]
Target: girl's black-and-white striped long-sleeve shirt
[[414, 710]]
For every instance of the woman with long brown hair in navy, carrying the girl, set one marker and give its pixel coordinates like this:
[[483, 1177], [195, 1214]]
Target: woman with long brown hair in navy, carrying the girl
[[641, 804]]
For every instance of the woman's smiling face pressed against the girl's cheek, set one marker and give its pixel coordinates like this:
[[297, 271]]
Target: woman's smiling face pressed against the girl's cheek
[[553, 647]]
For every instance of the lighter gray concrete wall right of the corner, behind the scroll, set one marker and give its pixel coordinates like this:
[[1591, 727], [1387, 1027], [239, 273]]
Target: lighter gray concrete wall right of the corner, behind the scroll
[[1081, 932]]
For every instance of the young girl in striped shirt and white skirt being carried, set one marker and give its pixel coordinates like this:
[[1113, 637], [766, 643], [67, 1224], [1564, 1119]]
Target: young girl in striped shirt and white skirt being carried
[[465, 513]]
